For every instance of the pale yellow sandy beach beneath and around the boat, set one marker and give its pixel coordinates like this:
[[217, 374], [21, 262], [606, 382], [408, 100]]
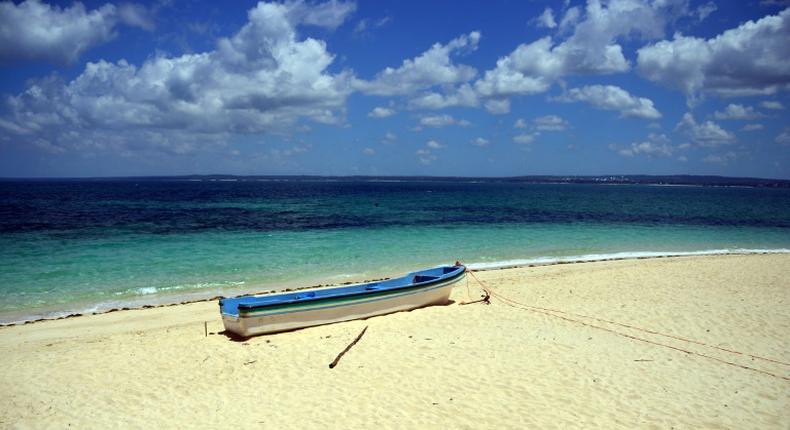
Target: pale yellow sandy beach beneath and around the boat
[[474, 366]]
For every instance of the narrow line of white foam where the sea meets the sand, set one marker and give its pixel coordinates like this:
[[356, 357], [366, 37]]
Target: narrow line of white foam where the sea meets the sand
[[475, 267]]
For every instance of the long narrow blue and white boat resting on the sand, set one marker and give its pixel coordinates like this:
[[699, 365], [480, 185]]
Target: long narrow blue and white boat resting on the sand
[[247, 316]]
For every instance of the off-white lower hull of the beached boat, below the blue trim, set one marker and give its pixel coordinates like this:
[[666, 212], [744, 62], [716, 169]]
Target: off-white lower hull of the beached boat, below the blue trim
[[278, 320]]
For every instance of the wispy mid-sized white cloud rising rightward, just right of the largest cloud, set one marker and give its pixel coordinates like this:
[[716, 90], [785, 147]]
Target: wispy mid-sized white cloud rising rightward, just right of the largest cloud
[[432, 67]]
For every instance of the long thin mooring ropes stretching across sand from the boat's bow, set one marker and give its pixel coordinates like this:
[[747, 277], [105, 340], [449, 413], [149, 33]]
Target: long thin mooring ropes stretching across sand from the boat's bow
[[514, 304]]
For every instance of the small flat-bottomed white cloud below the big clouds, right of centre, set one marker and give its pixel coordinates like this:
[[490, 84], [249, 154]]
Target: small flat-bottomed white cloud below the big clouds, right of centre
[[610, 97]]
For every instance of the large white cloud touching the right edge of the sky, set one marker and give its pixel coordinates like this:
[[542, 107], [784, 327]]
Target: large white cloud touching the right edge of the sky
[[750, 59]]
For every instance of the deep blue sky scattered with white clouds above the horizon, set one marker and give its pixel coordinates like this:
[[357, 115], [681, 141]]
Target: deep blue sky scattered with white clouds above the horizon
[[442, 88]]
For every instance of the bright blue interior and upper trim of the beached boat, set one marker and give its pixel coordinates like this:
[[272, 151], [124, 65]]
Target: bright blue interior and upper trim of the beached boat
[[415, 280]]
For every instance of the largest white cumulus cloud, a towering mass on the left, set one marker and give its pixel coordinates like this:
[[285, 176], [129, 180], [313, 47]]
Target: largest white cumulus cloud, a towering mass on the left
[[264, 78]]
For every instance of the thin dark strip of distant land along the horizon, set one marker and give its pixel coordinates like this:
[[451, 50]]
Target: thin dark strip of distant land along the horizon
[[679, 180]]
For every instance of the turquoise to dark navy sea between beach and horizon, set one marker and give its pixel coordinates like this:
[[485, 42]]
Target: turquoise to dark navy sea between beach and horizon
[[82, 246]]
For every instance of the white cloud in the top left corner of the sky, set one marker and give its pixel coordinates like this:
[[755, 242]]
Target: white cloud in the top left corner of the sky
[[33, 30]]
